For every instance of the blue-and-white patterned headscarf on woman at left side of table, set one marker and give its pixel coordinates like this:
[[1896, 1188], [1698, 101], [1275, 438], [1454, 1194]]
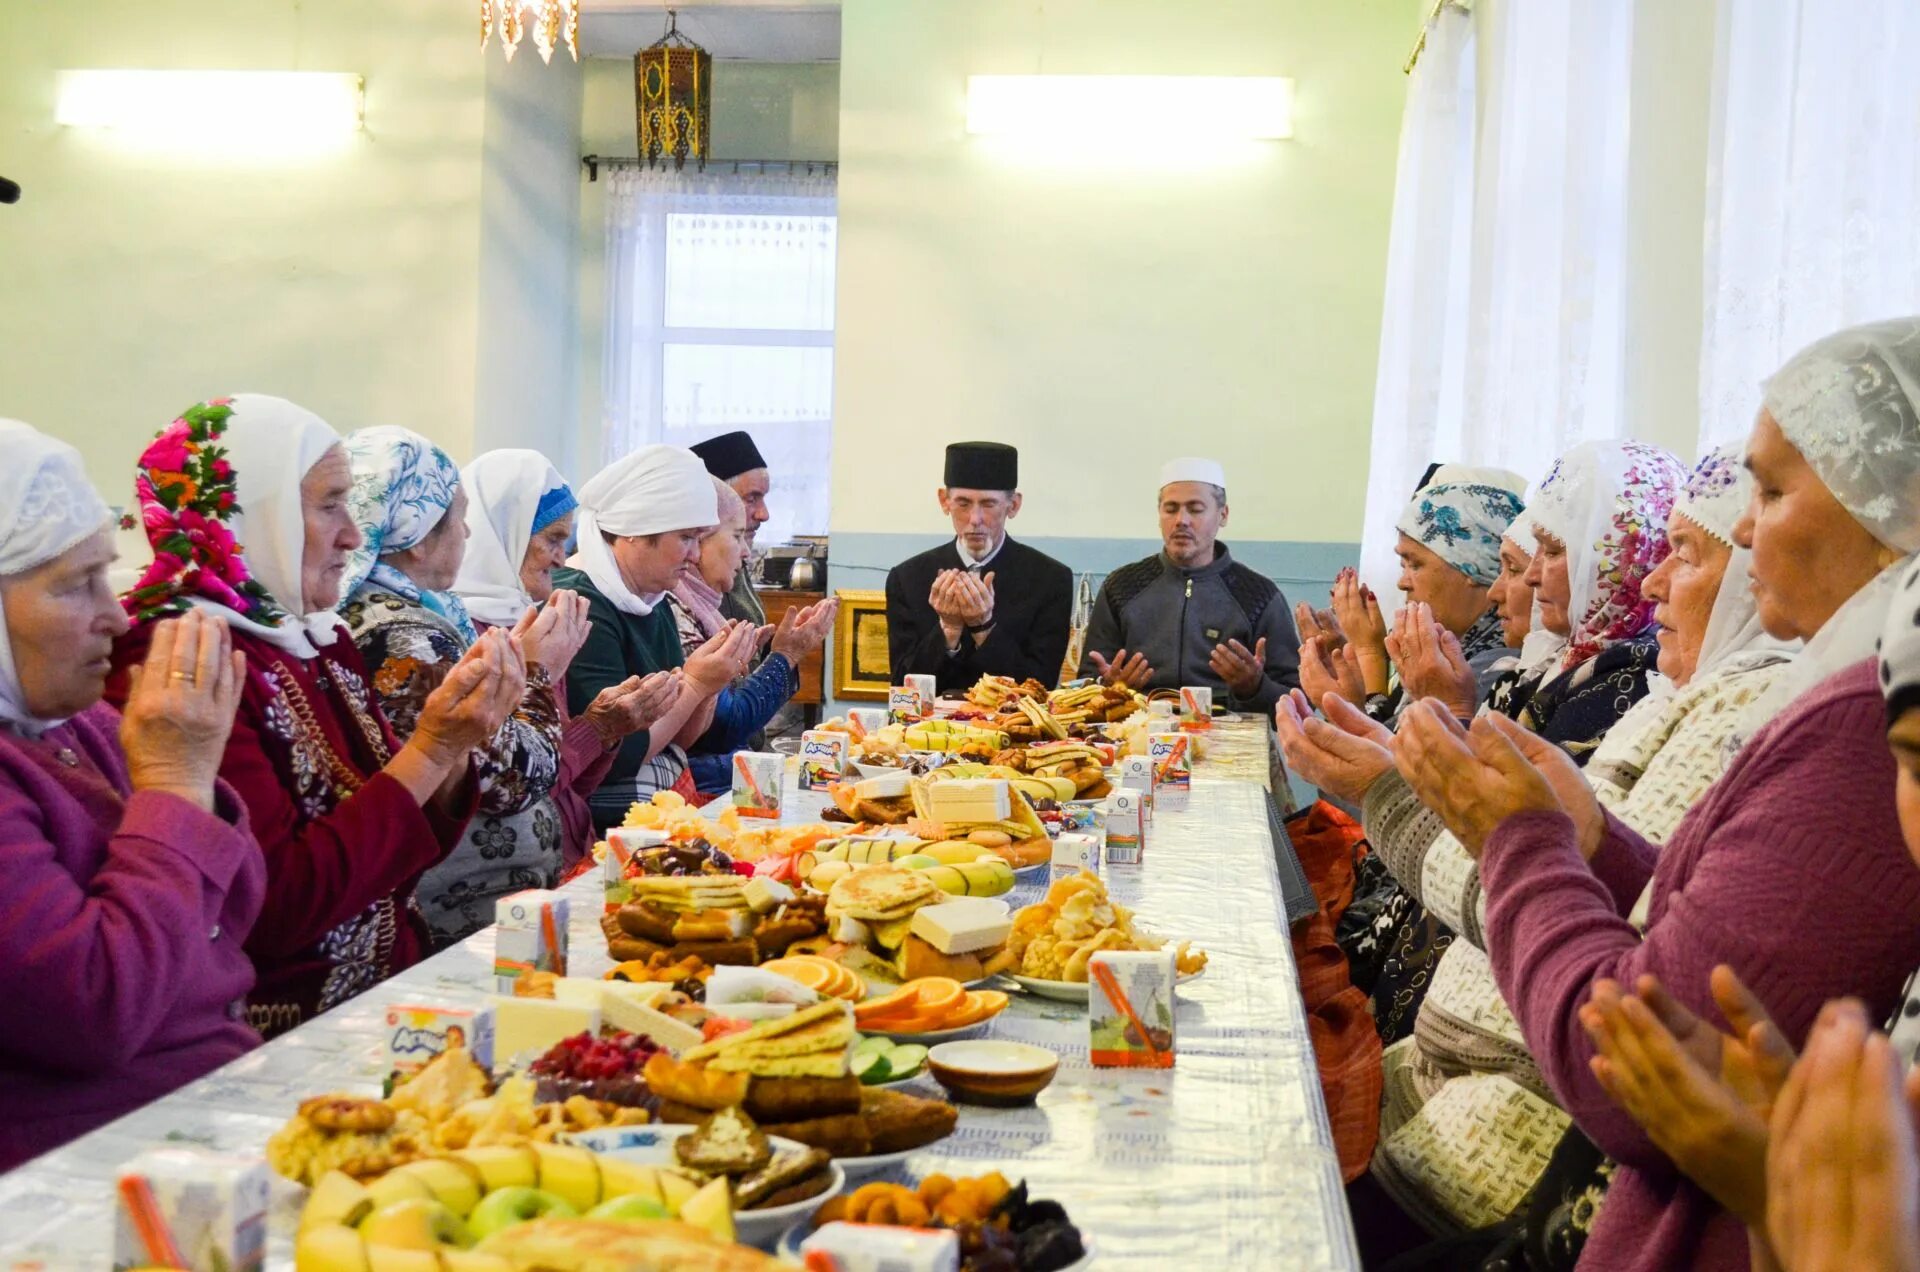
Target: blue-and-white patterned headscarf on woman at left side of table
[[402, 489]]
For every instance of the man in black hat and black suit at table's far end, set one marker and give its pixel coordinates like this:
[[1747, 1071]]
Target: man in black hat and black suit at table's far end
[[980, 606]]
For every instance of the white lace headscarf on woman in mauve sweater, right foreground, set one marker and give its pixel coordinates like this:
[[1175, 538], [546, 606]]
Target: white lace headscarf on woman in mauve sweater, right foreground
[[1848, 404]]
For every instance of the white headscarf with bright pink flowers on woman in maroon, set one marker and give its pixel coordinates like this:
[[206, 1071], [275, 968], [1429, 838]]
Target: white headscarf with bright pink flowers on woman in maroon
[[220, 476]]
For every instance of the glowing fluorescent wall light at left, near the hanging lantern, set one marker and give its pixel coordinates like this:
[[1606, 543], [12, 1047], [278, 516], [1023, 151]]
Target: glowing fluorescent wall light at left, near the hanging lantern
[[212, 109]]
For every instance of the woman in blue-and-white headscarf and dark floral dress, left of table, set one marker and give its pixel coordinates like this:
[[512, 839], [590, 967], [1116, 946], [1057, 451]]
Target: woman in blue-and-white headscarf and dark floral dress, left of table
[[412, 629]]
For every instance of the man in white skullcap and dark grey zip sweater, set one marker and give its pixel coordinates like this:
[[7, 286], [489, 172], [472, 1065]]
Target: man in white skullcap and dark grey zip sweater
[[1191, 614]]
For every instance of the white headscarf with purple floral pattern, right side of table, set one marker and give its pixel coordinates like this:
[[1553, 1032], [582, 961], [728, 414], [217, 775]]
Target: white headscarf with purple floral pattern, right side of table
[[1608, 502]]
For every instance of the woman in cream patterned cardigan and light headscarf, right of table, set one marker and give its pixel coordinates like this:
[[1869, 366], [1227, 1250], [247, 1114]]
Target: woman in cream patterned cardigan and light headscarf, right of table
[[1464, 1089]]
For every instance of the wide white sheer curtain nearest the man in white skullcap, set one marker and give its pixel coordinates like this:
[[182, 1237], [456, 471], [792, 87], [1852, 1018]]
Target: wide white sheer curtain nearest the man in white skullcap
[[1506, 291]]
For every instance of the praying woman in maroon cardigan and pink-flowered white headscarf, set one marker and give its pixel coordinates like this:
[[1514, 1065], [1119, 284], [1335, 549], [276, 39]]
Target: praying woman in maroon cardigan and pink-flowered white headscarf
[[247, 508]]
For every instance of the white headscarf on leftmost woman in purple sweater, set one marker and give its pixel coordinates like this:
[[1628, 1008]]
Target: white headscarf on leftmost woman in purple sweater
[[47, 508]]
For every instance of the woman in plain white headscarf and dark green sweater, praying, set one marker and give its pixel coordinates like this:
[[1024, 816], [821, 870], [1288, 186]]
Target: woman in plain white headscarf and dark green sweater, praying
[[642, 522]]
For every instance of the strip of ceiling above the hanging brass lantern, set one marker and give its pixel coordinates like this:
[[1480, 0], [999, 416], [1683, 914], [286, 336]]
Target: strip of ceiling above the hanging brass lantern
[[729, 30]]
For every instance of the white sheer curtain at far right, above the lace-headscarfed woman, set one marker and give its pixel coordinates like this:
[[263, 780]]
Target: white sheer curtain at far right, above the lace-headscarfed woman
[[1813, 187]]
